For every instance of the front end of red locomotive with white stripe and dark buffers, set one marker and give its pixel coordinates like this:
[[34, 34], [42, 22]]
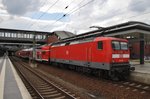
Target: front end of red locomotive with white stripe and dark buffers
[[120, 66]]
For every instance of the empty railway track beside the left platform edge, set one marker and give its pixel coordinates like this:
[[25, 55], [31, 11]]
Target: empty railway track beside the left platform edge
[[38, 86]]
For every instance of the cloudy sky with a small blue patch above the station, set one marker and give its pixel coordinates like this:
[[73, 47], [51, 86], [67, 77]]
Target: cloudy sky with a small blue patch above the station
[[70, 15]]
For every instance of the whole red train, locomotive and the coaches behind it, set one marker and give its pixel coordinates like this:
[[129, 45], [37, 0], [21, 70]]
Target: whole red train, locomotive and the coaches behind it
[[107, 57]]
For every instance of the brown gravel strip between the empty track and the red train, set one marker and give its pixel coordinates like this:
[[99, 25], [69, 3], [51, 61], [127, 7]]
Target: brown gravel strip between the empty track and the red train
[[83, 85]]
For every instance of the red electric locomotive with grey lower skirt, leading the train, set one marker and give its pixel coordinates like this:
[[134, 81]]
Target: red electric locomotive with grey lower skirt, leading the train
[[107, 55]]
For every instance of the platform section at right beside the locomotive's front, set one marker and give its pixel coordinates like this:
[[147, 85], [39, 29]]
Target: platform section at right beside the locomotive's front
[[141, 73]]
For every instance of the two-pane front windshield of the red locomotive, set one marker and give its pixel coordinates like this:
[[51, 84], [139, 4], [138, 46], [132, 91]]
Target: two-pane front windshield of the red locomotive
[[117, 45]]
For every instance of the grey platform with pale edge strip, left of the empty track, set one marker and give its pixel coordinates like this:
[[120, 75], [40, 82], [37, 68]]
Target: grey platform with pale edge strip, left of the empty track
[[11, 86]]
